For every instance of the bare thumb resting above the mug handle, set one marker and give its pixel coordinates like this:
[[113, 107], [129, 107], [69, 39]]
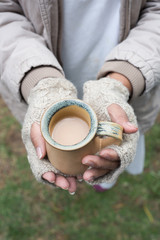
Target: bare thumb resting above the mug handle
[[118, 115]]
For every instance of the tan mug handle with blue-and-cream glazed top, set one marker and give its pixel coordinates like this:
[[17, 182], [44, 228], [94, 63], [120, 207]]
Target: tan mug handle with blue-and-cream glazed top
[[108, 133]]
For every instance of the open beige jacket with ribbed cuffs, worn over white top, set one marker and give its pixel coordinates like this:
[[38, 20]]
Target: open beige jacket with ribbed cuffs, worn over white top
[[30, 51]]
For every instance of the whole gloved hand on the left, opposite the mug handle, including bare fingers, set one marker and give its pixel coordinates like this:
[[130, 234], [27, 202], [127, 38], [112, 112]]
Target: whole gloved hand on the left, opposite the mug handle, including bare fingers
[[45, 93]]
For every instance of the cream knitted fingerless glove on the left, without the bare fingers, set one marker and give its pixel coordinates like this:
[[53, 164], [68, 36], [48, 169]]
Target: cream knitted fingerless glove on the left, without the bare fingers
[[45, 93]]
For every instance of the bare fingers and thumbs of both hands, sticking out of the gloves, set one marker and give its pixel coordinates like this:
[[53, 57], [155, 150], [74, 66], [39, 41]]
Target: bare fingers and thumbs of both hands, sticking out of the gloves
[[107, 160]]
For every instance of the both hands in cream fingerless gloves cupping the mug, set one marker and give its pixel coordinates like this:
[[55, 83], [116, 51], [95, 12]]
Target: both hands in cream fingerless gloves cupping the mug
[[108, 98]]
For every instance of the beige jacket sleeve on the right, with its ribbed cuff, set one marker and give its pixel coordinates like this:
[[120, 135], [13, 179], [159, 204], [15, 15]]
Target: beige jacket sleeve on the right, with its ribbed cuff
[[138, 56]]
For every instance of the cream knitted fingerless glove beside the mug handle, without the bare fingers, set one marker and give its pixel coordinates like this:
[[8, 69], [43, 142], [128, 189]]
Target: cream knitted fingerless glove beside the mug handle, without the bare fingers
[[99, 94]]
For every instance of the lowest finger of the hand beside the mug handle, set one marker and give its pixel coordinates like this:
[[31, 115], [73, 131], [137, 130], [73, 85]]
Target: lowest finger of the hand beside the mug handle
[[91, 174]]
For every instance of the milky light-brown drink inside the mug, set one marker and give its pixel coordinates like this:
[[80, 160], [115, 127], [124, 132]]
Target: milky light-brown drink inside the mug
[[70, 131]]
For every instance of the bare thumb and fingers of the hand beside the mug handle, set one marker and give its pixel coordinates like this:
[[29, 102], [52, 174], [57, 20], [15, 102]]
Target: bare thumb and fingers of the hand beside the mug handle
[[108, 159]]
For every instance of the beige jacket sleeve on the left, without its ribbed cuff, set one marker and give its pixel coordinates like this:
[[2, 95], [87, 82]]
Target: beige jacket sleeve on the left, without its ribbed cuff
[[21, 49]]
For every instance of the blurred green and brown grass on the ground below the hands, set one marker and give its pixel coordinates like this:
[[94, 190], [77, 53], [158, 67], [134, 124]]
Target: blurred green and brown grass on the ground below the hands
[[30, 210]]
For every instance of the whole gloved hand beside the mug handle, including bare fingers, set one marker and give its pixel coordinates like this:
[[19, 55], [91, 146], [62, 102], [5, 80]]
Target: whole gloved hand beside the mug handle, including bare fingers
[[109, 99]]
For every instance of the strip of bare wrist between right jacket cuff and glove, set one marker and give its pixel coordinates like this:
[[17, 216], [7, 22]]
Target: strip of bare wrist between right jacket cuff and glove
[[121, 78]]
